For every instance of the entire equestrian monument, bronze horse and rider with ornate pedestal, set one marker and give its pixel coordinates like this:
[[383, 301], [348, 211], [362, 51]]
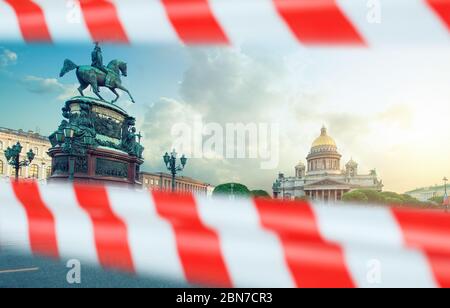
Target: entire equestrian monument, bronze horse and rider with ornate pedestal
[[96, 140]]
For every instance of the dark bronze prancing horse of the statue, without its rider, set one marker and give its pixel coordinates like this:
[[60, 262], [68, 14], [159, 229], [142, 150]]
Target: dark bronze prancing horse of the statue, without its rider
[[91, 76]]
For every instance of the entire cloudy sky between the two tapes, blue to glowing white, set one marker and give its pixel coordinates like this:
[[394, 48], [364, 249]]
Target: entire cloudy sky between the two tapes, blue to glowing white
[[387, 108]]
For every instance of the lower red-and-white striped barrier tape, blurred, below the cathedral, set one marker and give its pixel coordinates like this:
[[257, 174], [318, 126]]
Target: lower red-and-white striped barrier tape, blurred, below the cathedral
[[218, 242]]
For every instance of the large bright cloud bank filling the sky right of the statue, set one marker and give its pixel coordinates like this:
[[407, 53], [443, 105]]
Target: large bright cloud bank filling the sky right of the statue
[[365, 113]]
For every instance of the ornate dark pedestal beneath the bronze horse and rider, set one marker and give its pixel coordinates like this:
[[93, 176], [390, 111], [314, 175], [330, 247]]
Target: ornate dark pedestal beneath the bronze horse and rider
[[103, 149]]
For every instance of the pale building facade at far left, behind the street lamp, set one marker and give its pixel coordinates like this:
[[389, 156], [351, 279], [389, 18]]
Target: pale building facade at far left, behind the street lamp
[[41, 166]]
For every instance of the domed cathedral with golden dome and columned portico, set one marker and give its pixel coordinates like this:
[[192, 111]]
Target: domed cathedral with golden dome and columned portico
[[322, 178]]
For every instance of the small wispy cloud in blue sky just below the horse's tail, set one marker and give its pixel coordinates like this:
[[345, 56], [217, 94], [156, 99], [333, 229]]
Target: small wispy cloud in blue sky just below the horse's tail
[[40, 85]]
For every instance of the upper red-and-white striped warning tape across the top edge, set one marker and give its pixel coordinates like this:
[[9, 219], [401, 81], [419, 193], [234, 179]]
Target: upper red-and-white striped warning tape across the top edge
[[308, 22]]
